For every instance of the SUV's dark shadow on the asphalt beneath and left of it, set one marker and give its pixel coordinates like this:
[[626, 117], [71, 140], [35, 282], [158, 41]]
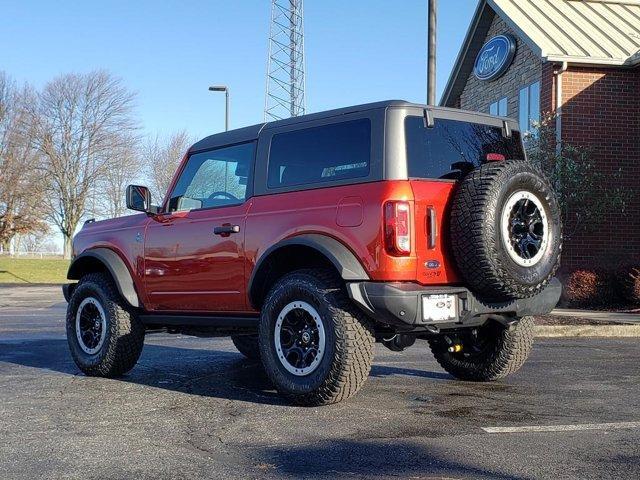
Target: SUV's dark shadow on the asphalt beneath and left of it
[[212, 373]]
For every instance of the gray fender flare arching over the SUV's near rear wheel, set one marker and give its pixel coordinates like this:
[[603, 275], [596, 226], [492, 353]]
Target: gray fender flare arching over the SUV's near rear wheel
[[345, 262]]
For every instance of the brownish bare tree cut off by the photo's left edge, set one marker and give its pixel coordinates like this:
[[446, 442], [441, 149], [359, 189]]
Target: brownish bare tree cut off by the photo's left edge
[[21, 184]]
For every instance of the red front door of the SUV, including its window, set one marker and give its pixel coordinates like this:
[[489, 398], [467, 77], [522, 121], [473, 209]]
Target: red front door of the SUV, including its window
[[194, 250]]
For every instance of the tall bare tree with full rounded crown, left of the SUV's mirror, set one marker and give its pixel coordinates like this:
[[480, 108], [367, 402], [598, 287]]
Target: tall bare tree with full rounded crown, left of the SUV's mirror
[[80, 123]]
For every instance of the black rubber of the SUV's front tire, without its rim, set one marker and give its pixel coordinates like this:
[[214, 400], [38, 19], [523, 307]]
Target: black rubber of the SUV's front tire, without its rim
[[124, 337]]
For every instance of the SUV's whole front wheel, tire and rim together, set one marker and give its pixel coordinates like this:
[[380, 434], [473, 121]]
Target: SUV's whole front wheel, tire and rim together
[[105, 338]]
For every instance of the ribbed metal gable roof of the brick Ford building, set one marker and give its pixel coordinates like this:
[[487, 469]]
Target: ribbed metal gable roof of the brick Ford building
[[589, 32]]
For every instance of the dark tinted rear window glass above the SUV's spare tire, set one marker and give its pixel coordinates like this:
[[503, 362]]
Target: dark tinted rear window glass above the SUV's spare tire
[[451, 146]]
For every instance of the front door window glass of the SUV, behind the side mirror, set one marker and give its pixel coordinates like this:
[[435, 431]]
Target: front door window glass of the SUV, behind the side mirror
[[214, 179]]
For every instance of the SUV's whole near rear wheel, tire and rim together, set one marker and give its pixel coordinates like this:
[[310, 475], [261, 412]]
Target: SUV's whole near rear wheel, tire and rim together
[[316, 347]]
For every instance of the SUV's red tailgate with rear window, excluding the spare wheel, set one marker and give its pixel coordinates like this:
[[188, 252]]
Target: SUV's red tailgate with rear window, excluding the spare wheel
[[437, 157]]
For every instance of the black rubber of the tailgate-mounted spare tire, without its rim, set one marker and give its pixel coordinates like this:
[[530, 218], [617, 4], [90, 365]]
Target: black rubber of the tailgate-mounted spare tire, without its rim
[[477, 244]]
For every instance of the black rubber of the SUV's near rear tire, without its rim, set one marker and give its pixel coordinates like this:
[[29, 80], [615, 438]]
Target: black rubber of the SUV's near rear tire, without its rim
[[348, 353]]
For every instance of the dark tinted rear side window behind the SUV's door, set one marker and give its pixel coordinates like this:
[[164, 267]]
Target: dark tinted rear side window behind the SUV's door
[[320, 154]]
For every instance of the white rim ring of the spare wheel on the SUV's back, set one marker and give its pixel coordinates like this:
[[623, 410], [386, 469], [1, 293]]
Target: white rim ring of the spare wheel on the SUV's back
[[519, 254]]
